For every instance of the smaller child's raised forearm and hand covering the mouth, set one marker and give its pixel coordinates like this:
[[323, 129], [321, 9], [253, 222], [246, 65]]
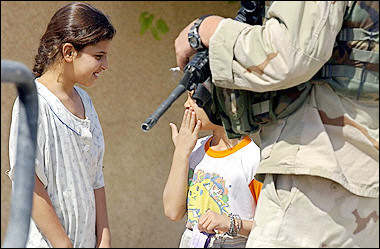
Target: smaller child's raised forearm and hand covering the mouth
[[175, 192]]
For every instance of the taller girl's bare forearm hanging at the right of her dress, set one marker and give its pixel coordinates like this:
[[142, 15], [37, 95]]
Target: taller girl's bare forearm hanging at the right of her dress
[[103, 234]]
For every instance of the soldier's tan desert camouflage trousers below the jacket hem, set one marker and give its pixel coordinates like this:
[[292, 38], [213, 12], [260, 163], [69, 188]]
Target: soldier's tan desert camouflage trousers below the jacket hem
[[336, 219]]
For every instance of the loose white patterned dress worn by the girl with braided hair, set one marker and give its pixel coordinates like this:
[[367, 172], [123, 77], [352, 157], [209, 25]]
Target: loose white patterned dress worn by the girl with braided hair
[[69, 162]]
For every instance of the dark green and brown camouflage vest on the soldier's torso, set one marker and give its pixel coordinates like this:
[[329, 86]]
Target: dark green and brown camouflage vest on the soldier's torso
[[353, 70]]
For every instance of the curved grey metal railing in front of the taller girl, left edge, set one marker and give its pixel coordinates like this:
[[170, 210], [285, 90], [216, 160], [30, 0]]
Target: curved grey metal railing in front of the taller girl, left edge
[[22, 194]]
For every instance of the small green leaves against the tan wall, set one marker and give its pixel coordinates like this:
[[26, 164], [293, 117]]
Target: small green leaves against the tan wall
[[146, 21]]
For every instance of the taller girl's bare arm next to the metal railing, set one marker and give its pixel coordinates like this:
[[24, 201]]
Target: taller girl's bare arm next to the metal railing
[[44, 216]]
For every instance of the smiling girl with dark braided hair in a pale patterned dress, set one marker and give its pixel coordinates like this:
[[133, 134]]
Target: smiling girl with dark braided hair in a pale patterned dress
[[69, 202]]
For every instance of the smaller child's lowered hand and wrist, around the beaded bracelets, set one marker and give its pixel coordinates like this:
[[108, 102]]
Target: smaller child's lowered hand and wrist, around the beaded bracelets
[[211, 221]]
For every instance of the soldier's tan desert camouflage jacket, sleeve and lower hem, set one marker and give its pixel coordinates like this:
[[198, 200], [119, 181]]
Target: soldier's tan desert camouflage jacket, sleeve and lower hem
[[329, 135]]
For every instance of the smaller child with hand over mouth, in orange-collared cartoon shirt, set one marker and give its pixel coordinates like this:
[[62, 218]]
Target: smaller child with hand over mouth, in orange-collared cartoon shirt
[[211, 178]]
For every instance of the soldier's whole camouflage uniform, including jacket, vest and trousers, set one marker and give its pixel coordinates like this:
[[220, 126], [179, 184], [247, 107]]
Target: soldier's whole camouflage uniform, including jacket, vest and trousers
[[320, 155]]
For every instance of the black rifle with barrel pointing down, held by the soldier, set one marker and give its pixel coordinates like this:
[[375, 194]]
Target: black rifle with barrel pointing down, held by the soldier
[[198, 69]]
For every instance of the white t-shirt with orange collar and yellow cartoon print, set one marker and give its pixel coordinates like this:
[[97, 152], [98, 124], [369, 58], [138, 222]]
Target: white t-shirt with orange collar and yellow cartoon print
[[219, 180]]
